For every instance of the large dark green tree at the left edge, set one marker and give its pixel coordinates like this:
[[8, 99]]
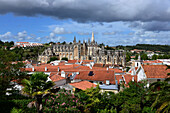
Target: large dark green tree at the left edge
[[9, 70]]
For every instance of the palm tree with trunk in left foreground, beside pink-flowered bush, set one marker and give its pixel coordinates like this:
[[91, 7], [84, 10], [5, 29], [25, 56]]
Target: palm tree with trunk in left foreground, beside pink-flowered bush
[[37, 86]]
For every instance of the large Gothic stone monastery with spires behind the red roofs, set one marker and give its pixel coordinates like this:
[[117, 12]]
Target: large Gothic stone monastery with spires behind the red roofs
[[84, 51]]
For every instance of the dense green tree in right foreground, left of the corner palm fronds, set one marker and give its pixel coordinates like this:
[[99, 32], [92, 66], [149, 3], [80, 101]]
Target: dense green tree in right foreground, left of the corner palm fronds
[[132, 98]]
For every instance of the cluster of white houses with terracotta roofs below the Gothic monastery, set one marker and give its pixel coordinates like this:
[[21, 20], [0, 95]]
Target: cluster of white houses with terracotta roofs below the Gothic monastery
[[80, 75]]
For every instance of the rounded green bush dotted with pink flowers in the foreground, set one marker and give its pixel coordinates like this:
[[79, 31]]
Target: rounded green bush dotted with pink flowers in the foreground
[[63, 101]]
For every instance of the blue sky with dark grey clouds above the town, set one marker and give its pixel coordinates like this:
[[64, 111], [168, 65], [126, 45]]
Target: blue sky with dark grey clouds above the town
[[114, 22]]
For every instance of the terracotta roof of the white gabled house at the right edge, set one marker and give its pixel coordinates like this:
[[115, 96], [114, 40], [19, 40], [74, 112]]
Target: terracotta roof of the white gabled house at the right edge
[[156, 71]]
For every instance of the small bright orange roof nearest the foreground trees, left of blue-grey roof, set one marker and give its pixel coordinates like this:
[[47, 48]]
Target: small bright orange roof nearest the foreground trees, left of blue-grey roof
[[83, 85]]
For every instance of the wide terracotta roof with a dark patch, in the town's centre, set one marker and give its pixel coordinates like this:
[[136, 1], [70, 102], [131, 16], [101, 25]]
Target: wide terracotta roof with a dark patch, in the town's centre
[[97, 76]]
